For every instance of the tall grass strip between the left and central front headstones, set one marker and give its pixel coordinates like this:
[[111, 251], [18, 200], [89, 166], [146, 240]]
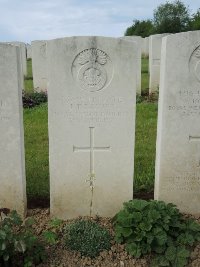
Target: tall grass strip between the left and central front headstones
[[36, 151]]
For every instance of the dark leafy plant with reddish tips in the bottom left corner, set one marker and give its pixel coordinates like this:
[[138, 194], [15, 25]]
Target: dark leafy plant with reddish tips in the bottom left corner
[[18, 245]]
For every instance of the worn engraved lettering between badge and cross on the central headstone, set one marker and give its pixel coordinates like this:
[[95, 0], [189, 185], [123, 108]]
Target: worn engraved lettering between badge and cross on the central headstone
[[94, 109]]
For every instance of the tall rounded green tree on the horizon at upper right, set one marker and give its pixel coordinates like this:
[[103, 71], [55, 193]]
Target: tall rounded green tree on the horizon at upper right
[[172, 17]]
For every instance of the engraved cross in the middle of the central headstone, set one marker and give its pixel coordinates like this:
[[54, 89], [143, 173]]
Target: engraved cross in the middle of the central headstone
[[91, 148]]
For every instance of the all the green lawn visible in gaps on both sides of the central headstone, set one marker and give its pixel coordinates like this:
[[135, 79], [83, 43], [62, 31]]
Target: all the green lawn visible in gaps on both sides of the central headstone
[[36, 143]]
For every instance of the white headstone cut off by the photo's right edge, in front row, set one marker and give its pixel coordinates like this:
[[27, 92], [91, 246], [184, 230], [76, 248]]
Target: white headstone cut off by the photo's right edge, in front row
[[178, 136]]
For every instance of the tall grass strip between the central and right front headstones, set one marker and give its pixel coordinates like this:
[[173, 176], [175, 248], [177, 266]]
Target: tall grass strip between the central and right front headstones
[[145, 143]]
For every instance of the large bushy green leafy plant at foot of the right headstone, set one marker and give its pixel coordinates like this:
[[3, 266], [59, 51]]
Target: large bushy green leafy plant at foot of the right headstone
[[153, 226]]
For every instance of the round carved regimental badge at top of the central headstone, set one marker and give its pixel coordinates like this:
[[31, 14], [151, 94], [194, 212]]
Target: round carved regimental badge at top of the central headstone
[[92, 69]]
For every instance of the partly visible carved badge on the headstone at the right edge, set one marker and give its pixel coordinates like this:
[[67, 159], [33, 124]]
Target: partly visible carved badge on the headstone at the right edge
[[194, 63]]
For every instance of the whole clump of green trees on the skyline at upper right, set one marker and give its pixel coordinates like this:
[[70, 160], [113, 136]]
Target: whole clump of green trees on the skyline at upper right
[[171, 17]]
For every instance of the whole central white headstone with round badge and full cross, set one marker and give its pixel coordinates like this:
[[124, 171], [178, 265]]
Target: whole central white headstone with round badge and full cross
[[91, 98]]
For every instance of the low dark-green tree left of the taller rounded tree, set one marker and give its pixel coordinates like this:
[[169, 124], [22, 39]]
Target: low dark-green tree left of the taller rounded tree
[[142, 28]]
